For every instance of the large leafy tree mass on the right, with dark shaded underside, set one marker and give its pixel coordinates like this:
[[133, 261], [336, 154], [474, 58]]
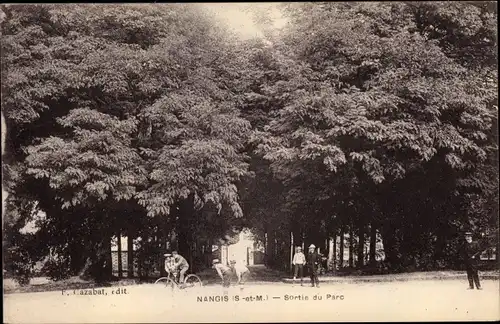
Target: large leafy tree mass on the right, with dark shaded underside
[[378, 108]]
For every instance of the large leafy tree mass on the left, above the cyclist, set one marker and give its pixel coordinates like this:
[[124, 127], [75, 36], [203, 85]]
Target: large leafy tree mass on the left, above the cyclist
[[119, 109]]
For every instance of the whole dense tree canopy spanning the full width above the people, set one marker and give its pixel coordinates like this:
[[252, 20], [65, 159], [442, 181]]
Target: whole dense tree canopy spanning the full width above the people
[[151, 118]]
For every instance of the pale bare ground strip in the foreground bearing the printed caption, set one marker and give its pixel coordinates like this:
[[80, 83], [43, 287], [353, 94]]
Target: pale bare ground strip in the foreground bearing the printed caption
[[382, 301]]
